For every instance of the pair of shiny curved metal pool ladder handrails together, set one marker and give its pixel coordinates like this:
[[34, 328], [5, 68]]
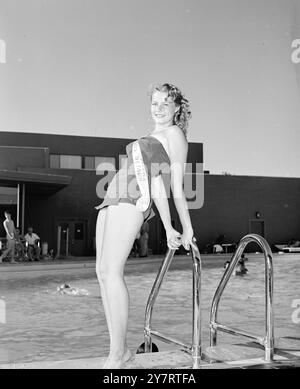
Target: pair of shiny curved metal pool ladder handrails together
[[195, 348]]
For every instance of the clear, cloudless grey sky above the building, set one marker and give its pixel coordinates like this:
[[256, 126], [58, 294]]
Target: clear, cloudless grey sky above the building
[[83, 67]]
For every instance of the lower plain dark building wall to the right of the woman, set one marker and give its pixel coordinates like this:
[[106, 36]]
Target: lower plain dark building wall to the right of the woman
[[231, 201]]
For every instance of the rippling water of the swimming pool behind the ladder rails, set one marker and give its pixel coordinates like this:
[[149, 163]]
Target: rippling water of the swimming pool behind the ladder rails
[[44, 325]]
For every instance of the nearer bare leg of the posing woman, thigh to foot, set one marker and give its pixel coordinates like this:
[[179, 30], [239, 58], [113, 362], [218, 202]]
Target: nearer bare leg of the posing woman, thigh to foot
[[122, 223]]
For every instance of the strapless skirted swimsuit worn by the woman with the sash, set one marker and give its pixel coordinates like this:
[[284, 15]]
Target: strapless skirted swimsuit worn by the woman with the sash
[[124, 187]]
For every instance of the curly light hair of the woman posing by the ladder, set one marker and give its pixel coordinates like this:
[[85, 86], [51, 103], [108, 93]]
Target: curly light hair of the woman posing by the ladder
[[183, 115]]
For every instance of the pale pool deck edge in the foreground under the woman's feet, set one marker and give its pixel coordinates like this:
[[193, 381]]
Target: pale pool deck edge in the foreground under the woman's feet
[[238, 356]]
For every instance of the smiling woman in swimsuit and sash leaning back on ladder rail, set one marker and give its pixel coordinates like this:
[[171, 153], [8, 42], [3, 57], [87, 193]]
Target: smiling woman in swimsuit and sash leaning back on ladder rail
[[122, 214]]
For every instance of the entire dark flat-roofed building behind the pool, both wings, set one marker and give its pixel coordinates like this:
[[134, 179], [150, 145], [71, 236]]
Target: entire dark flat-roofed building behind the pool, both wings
[[49, 181]]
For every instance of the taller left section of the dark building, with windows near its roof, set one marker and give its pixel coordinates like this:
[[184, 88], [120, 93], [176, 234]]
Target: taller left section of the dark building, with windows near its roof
[[49, 181]]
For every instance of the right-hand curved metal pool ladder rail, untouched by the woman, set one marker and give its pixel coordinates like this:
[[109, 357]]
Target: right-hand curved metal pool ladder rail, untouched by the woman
[[268, 340]]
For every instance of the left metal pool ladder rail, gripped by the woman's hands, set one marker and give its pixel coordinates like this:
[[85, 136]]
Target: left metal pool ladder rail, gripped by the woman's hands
[[195, 348]]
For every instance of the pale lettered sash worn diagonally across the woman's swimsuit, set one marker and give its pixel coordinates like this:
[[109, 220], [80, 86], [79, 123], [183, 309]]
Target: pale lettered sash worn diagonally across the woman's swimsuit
[[143, 202]]
